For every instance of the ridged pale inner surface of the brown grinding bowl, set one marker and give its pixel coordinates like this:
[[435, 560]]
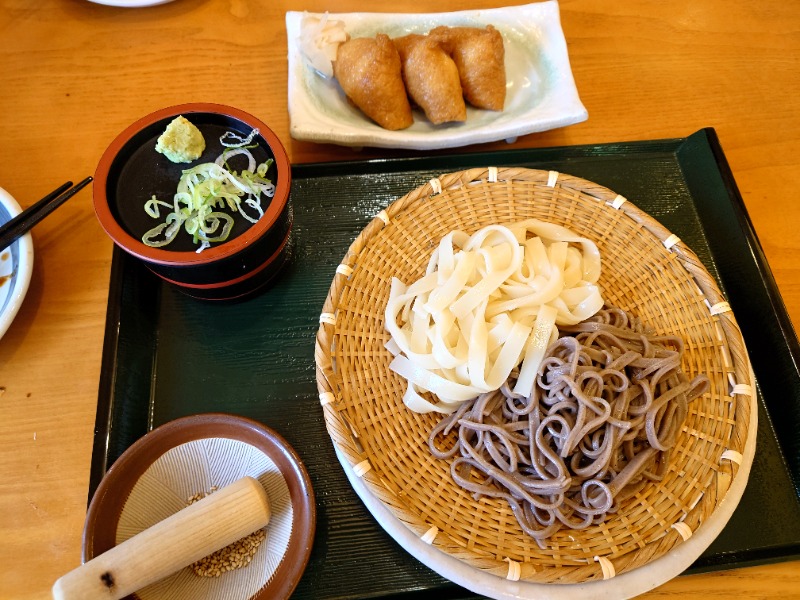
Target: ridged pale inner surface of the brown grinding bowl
[[194, 467]]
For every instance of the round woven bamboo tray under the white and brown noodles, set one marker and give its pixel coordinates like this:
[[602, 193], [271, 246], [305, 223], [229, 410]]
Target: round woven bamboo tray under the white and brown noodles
[[646, 270]]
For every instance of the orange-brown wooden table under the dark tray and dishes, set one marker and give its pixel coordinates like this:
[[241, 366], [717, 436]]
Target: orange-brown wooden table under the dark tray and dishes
[[73, 74]]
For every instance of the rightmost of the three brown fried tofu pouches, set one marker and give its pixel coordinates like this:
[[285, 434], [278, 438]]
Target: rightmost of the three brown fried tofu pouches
[[479, 55]]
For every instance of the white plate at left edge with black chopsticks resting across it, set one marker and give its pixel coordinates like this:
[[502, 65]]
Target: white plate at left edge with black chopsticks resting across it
[[16, 266]]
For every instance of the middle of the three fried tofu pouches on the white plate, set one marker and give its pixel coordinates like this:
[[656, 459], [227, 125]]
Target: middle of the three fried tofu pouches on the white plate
[[431, 78]]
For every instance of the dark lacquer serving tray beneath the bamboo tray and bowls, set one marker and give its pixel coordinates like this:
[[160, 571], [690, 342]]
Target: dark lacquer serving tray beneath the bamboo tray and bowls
[[167, 355]]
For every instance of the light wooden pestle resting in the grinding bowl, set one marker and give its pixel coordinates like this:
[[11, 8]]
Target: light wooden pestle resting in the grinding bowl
[[202, 528]]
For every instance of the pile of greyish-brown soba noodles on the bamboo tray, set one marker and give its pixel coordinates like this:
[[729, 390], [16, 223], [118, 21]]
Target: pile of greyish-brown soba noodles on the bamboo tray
[[601, 421]]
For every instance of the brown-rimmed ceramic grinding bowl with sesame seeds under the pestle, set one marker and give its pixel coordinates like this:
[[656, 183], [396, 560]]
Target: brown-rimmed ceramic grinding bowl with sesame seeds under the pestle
[[155, 477]]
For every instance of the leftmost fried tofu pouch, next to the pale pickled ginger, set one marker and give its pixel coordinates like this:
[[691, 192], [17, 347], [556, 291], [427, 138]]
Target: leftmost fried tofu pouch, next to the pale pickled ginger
[[369, 71]]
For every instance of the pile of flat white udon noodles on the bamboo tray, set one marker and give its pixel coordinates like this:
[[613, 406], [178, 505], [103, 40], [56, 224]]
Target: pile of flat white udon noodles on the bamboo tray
[[473, 287]]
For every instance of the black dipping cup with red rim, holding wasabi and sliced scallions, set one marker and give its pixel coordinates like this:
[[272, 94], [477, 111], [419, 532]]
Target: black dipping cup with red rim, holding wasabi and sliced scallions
[[131, 171]]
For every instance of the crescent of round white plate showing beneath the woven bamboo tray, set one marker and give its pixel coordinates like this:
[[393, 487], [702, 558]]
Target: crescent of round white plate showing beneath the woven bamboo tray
[[626, 585]]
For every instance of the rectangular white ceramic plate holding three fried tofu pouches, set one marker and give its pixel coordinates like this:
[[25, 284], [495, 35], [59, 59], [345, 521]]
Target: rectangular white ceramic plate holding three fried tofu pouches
[[541, 90]]
